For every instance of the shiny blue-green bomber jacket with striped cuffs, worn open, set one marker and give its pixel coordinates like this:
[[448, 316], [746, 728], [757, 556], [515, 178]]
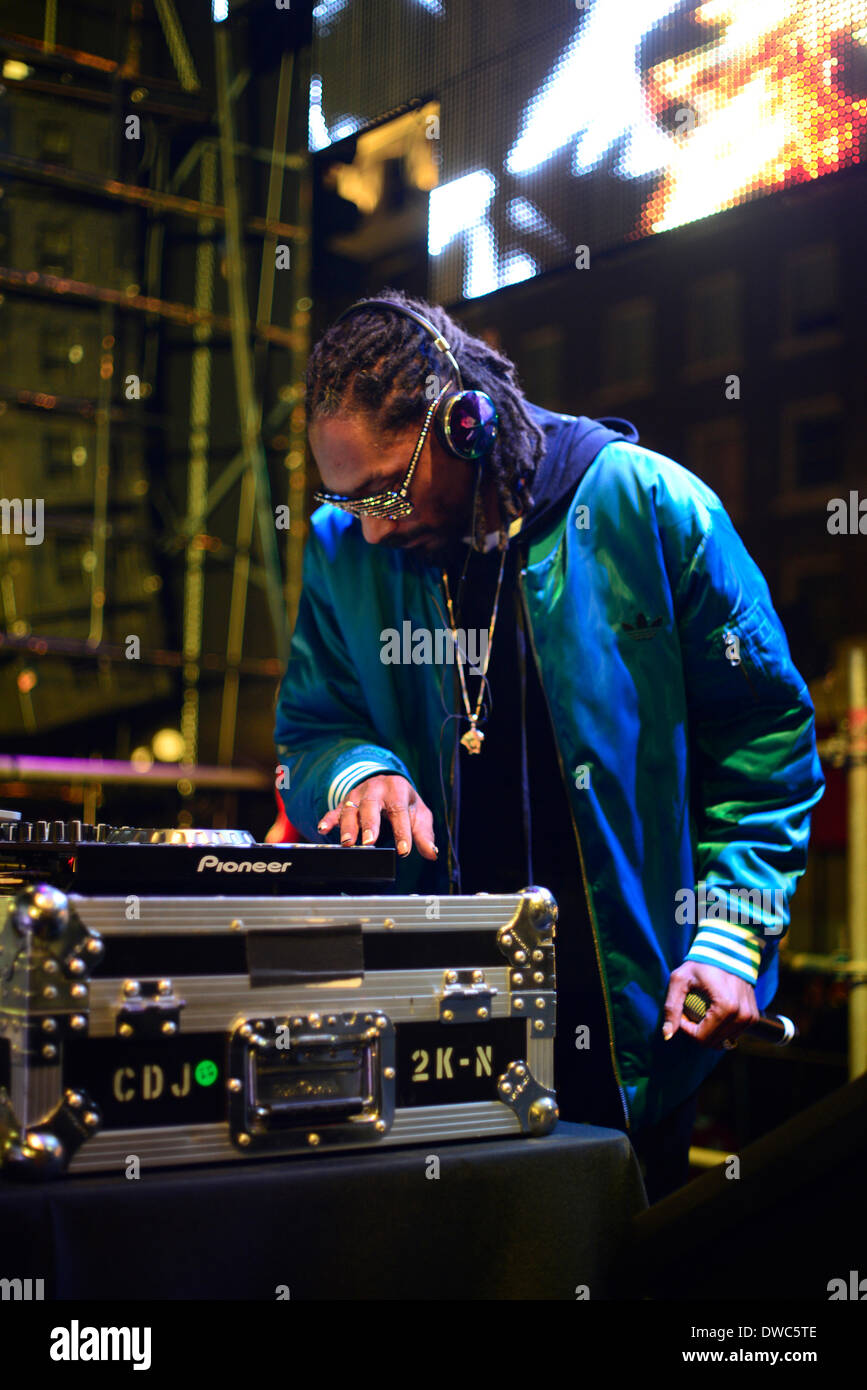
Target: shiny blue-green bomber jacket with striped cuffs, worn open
[[672, 690]]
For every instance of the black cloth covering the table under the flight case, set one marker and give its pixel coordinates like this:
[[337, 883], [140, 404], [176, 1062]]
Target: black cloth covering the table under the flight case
[[513, 1218]]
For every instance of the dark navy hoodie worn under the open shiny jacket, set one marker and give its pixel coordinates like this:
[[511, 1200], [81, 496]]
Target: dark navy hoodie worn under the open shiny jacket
[[515, 824]]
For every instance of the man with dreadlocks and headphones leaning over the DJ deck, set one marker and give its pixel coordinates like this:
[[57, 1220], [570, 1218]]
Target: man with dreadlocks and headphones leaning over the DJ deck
[[636, 729]]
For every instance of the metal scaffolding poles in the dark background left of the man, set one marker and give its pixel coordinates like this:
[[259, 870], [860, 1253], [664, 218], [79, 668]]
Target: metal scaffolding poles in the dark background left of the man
[[217, 158]]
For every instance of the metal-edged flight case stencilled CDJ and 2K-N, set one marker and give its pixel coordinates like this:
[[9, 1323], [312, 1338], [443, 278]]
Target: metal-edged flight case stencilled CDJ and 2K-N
[[199, 1028]]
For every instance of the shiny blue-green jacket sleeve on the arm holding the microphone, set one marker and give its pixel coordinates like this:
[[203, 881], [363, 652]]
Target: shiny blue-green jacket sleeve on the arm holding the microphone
[[755, 772]]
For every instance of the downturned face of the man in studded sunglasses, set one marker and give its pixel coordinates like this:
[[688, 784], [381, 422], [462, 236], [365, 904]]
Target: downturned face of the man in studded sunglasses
[[355, 461]]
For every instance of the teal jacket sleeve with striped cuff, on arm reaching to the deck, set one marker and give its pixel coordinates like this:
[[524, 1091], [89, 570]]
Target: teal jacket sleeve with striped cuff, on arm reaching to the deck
[[324, 736]]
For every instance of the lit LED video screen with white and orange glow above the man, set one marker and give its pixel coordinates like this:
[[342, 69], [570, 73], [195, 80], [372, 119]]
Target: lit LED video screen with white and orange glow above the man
[[575, 124]]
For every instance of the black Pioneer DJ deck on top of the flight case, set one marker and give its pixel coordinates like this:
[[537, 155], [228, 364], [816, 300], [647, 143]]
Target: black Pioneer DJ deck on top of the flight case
[[119, 860]]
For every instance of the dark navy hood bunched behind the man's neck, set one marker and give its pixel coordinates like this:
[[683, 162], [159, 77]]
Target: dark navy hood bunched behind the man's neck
[[572, 443]]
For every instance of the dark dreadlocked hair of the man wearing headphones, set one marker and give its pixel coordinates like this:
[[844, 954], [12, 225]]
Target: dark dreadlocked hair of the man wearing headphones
[[381, 365]]
